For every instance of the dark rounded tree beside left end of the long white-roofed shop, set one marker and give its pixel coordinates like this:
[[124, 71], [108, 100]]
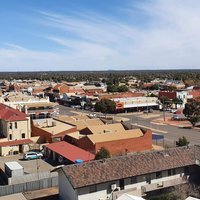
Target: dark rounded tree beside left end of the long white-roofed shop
[[105, 106]]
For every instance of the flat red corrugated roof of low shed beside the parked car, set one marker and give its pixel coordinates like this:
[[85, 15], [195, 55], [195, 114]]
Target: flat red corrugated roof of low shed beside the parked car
[[70, 151]]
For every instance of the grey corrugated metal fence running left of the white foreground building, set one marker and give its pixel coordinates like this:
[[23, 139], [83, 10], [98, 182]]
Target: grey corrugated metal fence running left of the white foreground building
[[29, 186]]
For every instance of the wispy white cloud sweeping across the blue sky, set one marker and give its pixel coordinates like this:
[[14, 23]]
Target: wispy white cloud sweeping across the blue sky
[[168, 38]]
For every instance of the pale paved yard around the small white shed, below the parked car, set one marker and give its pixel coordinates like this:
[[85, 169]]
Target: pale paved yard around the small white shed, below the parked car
[[30, 166]]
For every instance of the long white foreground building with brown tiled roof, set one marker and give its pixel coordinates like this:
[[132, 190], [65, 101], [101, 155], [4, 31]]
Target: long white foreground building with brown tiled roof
[[132, 174]]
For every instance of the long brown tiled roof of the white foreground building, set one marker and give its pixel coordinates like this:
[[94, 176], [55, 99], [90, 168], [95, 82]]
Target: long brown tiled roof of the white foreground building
[[96, 172]]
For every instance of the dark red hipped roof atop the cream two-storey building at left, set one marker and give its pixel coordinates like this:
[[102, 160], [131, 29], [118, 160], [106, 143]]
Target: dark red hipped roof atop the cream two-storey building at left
[[10, 114]]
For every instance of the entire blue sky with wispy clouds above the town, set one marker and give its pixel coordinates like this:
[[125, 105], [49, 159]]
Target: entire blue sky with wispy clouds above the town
[[47, 35]]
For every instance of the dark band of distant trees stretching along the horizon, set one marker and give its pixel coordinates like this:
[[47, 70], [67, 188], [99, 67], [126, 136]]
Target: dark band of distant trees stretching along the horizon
[[113, 77]]
